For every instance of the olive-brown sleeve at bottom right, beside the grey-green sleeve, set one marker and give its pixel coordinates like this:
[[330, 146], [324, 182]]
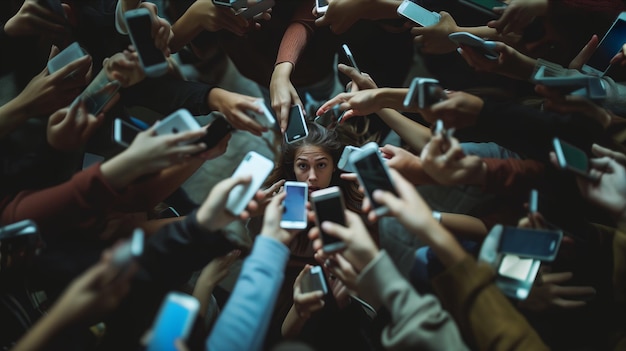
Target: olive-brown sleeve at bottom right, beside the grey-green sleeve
[[484, 315]]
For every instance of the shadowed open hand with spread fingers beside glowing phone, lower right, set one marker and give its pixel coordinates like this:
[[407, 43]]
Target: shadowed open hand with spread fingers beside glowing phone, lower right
[[550, 293]]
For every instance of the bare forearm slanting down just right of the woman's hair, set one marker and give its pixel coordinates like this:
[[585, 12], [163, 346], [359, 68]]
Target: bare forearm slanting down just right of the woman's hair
[[413, 133]]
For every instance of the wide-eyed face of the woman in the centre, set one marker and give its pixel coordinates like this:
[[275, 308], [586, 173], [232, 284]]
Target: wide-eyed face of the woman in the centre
[[313, 166]]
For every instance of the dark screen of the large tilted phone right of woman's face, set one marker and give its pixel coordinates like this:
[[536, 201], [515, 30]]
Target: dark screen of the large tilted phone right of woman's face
[[373, 175]]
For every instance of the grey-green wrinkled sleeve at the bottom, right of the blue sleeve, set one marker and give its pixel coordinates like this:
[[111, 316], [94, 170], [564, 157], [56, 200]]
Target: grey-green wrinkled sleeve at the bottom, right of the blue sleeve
[[417, 321]]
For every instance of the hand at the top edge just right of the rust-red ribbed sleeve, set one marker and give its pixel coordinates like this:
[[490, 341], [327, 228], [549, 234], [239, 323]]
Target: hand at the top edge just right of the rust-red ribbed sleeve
[[342, 14]]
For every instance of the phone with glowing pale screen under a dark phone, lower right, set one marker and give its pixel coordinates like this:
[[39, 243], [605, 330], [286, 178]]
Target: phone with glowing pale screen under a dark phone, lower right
[[516, 275]]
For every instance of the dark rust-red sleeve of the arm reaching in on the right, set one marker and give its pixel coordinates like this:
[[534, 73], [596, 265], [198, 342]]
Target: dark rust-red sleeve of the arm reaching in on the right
[[512, 175]]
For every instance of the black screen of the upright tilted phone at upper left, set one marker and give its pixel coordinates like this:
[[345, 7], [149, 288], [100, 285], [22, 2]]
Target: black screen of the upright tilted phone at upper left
[[141, 28]]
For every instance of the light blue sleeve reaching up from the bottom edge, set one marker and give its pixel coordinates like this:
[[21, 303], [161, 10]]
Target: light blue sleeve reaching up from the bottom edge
[[245, 319]]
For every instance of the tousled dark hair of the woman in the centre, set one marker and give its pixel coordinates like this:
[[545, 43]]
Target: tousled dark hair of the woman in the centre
[[331, 142]]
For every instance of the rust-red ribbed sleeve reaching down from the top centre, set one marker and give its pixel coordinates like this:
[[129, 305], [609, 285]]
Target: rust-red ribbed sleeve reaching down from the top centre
[[297, 34]]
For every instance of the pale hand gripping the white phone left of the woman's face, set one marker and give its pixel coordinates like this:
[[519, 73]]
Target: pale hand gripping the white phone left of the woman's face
[[212, 214]]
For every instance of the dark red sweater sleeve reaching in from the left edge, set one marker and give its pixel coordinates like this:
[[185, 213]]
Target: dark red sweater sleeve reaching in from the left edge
[[77, 203]]
